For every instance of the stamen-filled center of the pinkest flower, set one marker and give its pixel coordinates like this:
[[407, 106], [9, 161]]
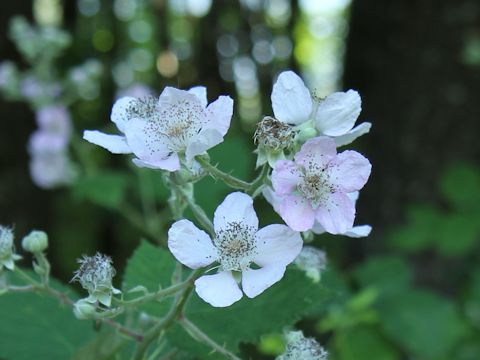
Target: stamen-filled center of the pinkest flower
[[315, 186]]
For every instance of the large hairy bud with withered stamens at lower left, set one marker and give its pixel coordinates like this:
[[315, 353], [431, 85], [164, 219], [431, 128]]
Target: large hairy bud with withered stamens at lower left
[[95, 275]]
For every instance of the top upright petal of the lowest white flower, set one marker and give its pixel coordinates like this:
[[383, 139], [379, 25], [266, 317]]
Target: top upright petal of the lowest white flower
[[237, 207]]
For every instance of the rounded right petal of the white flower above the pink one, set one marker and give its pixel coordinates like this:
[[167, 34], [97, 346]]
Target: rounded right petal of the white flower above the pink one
[[337, 114]]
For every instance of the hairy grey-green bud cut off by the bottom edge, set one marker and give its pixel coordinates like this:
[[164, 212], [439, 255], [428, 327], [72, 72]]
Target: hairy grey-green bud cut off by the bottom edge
[[300, 347]]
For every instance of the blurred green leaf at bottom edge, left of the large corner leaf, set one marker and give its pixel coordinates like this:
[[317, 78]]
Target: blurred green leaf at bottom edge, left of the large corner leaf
[[364, 344]]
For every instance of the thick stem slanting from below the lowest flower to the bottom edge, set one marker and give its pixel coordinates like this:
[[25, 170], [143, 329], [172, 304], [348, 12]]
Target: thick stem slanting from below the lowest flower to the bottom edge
[[175, 312]]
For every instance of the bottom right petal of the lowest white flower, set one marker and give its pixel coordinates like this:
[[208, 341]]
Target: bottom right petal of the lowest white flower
[[254, 282]]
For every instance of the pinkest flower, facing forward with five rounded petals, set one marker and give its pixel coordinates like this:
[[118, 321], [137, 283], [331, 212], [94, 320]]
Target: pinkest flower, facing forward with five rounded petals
[[316, 185]]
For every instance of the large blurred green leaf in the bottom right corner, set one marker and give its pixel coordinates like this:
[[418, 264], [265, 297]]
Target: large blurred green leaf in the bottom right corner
[[425, 324]]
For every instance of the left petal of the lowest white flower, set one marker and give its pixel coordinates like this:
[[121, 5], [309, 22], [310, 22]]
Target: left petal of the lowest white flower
[[190, 245]]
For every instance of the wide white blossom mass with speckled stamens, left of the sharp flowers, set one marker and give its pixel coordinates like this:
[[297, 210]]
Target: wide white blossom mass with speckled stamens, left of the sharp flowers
[[161, 132]]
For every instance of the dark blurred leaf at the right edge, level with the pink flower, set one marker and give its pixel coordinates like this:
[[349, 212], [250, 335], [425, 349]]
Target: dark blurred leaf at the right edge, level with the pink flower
[[460, 186]]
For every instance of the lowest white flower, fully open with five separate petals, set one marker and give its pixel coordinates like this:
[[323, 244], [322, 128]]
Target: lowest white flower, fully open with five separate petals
[[238, 244]]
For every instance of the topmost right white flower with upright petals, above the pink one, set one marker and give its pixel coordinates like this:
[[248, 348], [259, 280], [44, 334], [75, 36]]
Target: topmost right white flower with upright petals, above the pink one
[[333, 116]]
